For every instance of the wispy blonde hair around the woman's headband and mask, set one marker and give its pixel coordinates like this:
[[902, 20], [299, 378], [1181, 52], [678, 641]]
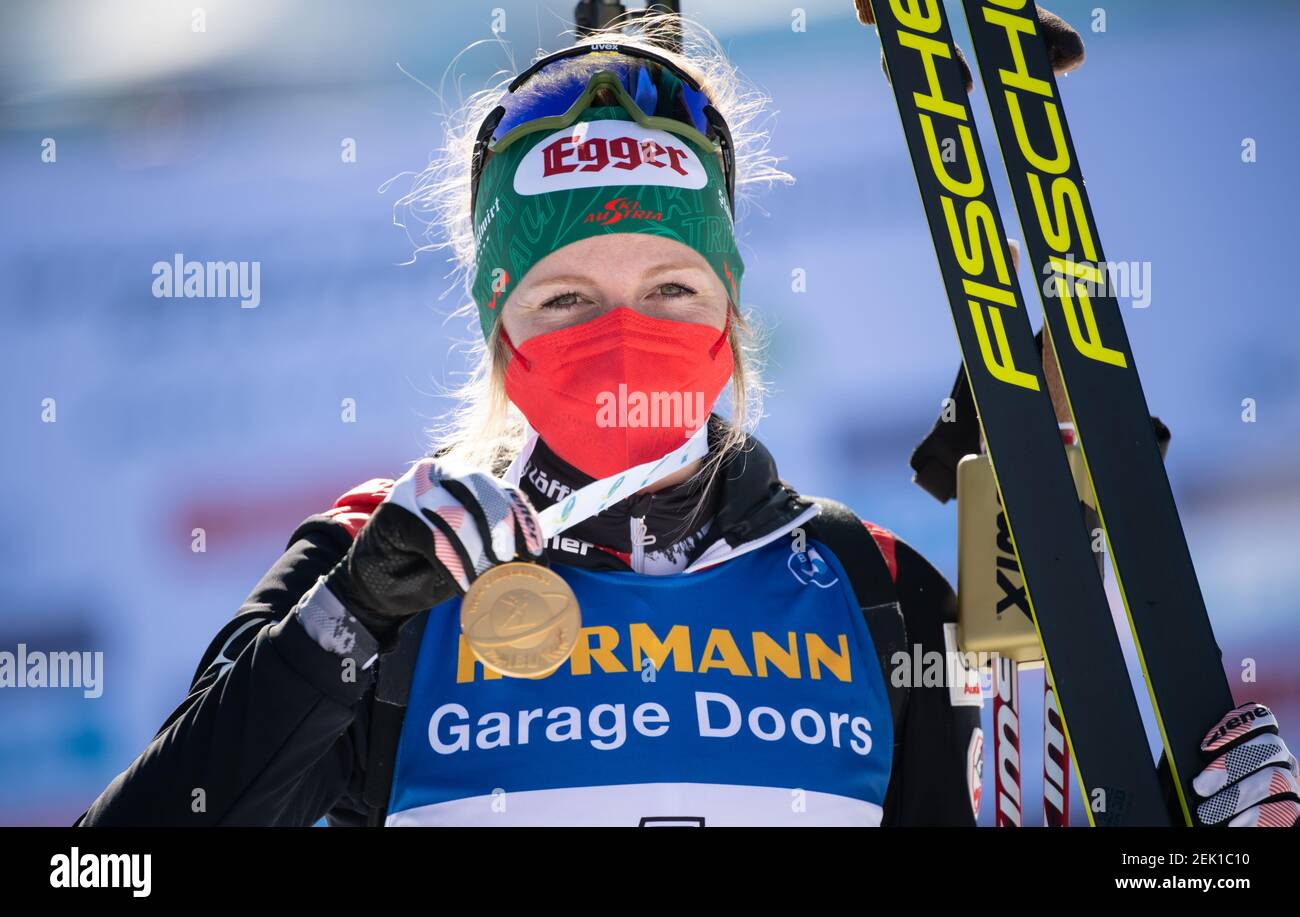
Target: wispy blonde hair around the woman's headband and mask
[[484, 430]]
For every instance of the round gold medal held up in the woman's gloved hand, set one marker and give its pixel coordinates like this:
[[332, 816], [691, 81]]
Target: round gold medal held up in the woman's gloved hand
[[521, 620]]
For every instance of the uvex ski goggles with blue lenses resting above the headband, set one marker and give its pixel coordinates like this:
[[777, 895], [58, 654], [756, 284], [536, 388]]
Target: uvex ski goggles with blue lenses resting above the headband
[[655, 92]]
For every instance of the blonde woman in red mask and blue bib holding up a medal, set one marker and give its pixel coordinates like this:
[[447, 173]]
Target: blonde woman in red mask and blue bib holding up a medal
[[734, 664]]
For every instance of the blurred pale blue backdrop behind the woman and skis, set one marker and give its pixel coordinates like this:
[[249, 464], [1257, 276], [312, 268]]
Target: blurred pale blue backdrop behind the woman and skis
[[226, 145]]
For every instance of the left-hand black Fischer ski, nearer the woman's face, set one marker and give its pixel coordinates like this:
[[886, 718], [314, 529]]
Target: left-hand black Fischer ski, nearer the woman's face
[[1048, 531]]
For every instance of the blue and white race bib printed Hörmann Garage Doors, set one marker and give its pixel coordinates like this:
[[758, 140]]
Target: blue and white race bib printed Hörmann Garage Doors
[[747, 694]]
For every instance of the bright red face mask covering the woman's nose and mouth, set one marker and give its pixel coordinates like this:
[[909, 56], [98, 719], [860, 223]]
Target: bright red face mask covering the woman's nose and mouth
[[621, 390]]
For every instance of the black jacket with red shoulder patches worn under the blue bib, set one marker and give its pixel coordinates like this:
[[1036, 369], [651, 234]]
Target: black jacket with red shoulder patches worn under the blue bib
[[271, 736]]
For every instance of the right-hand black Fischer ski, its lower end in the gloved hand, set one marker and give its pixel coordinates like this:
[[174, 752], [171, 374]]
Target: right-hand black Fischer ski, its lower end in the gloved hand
[[1154, 566]]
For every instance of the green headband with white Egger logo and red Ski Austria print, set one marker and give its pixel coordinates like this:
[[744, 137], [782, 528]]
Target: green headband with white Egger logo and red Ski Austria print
[[605, 174]]
